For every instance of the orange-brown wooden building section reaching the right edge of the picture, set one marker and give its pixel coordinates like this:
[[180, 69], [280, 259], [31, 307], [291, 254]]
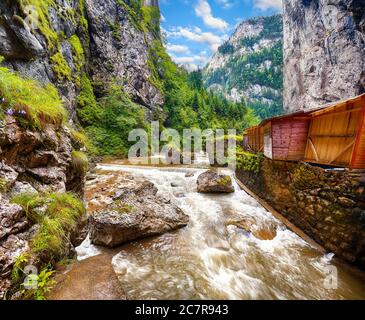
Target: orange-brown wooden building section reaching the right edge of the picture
[[337, 134]]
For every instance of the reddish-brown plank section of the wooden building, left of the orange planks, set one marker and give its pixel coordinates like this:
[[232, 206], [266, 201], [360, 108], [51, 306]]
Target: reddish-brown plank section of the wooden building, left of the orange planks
[[285, 138]]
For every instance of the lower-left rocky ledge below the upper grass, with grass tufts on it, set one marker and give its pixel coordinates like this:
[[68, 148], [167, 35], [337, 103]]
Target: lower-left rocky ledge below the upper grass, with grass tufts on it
[[33, 164]]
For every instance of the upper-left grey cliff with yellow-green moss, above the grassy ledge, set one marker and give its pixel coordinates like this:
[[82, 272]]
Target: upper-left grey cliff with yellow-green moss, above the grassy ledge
[[44, 41]]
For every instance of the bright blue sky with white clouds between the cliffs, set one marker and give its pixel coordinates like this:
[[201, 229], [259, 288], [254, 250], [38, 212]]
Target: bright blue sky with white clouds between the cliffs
[[195, 28]]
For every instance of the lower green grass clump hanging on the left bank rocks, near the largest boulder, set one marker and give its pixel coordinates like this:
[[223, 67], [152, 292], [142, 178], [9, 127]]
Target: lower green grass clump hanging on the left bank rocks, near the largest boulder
[[57, 215]]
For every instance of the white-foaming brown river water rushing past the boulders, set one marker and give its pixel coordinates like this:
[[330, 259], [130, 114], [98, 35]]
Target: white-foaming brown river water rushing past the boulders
[[211, 259]]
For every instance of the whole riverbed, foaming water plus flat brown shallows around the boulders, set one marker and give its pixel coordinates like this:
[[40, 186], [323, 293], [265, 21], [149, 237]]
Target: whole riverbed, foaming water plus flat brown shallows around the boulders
[[231, 248]]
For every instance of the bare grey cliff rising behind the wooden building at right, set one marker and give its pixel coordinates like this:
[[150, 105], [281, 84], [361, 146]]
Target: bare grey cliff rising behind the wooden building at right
[[324, 51]]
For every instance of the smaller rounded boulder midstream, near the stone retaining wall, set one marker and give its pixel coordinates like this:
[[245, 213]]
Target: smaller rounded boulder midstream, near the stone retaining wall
[[212, 182]]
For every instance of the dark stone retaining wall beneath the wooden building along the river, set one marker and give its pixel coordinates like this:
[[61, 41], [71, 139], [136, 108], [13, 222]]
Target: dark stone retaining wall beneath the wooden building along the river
[[328, 205]]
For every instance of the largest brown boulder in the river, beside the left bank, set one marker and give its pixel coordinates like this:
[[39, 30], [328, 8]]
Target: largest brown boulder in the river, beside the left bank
[[137, 212]]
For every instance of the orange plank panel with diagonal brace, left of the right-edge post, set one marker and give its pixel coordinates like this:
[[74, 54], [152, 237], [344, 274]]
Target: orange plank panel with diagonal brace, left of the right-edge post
[[332, 136]]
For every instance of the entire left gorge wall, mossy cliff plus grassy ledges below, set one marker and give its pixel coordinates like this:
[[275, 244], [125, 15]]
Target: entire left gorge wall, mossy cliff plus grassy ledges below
[[47, 44]]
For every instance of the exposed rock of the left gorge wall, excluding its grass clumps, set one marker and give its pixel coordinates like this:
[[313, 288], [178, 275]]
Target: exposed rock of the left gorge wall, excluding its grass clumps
[[60, 42]]
